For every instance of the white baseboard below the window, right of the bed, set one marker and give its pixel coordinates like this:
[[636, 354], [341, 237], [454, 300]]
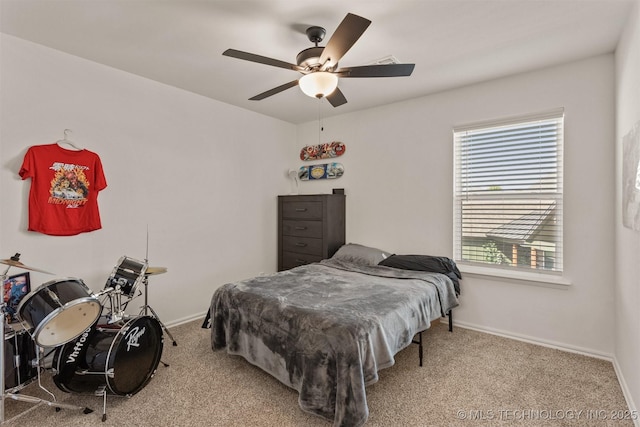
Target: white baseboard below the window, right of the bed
[[563, 347]]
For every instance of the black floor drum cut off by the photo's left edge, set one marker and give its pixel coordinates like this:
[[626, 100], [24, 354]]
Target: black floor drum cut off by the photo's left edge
[[19, 353]]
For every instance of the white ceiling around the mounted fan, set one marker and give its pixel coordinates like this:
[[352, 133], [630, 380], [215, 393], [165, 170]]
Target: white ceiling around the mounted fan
[[452, 42]]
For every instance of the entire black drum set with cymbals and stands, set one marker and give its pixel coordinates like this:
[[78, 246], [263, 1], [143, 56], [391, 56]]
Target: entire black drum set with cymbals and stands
[[87, 341]]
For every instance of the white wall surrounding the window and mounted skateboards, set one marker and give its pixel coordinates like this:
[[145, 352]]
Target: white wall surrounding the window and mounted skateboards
[[399, 180]]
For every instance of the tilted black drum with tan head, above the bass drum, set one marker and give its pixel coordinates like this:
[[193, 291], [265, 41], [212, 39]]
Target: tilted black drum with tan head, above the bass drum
[[59, 310]]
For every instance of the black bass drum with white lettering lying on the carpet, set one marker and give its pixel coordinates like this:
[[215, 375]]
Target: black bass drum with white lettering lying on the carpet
[[123, 358]]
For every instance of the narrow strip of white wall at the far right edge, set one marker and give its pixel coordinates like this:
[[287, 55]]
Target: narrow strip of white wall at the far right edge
[[627, 278]]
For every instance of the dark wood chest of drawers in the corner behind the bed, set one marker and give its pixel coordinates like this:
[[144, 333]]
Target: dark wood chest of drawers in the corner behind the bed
[[310, 228]]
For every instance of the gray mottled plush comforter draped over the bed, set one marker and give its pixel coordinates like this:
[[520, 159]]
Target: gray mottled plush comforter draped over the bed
[[326, 329]]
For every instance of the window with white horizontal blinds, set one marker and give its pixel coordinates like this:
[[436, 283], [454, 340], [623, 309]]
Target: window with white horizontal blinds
[[508, 194]]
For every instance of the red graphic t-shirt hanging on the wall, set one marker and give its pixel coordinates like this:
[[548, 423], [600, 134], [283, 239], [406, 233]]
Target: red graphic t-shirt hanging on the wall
[[63, 199]]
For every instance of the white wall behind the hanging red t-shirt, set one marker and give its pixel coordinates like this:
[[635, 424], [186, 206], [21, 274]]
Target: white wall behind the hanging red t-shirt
[[202, 175]]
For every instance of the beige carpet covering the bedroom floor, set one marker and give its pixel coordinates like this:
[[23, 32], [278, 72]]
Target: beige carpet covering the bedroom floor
[[469, 379]]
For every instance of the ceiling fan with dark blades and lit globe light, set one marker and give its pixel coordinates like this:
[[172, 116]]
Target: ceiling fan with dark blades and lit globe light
[[319, 65]]
